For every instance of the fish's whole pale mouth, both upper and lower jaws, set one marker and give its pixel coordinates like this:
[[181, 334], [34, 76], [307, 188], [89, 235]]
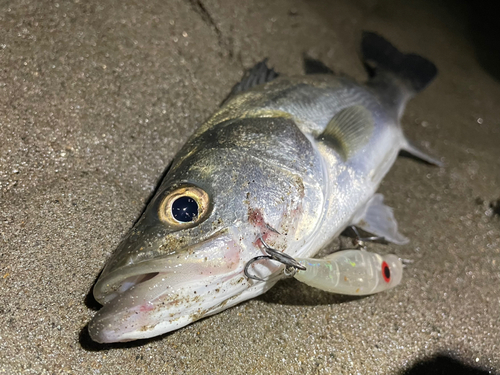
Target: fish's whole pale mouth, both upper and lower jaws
[[157, 296]]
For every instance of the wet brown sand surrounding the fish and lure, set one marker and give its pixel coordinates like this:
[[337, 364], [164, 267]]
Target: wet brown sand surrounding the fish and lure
[[96, 98]]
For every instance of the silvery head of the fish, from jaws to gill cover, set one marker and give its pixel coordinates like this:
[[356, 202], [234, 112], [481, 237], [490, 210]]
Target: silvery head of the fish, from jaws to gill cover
[[185, 257]]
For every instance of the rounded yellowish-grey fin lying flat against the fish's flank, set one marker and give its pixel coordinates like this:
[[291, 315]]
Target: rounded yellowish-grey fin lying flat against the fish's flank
[[349, 130]]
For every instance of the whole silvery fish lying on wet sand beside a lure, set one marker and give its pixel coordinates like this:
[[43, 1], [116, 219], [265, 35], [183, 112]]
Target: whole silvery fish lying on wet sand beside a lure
[[285, 161]]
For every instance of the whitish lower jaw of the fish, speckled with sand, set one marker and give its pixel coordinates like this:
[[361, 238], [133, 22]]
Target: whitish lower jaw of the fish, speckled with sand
[[157, 306]]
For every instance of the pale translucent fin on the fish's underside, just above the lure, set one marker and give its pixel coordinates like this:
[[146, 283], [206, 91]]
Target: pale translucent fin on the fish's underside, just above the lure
[[378, 219]]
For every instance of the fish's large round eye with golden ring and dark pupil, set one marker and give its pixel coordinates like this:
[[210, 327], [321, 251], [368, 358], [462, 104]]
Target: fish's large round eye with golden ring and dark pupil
[[184, 205]]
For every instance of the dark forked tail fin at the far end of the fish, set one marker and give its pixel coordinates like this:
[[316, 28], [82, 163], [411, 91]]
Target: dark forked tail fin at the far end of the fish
[[380, 55]]
